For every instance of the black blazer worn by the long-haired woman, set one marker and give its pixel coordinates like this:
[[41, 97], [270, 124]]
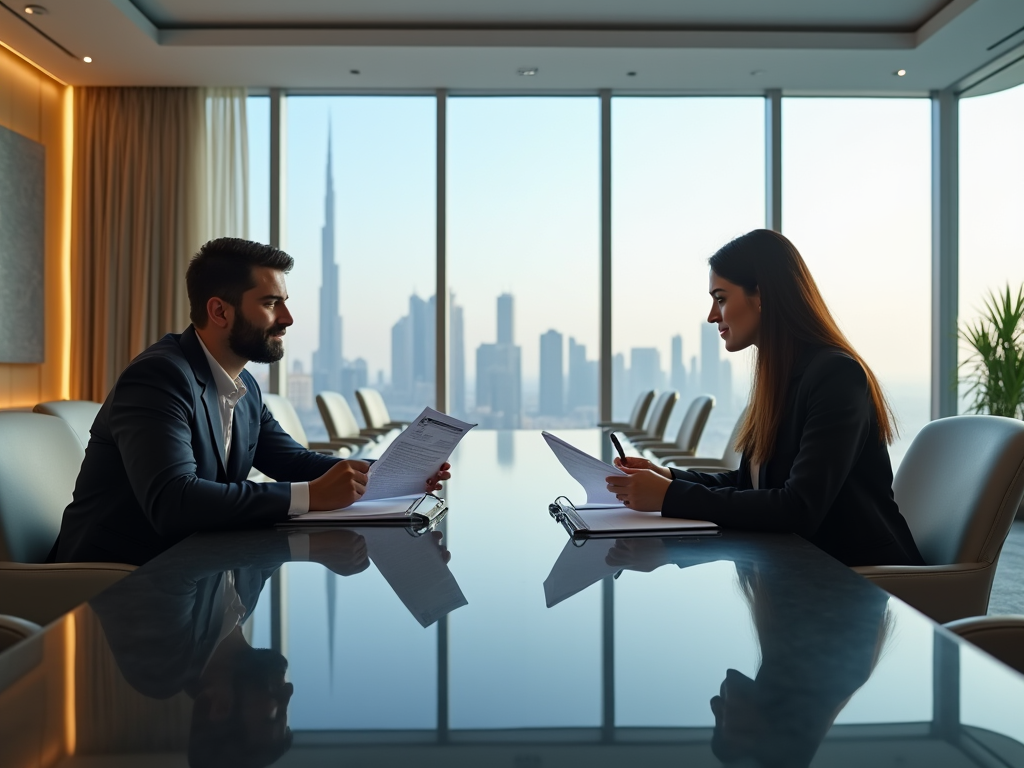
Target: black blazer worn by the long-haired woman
[[829, 481]]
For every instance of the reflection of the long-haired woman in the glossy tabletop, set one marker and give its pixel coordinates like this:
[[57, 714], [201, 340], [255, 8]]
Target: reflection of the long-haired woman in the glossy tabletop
[[817, 651]]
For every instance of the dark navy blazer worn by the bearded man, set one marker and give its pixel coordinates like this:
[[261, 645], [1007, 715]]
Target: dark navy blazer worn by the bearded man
[[155, 472]]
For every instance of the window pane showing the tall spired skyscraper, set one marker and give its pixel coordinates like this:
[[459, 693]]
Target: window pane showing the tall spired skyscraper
[[362, 230]]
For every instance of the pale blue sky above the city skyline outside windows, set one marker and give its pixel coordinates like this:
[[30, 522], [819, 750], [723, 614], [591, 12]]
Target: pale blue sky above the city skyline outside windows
[[524, 216]]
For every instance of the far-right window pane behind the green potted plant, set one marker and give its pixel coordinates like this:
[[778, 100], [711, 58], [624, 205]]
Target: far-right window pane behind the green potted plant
[[992, 201]]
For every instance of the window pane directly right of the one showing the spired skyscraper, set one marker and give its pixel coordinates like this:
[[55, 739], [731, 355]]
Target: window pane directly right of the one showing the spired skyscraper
[[524, 230]]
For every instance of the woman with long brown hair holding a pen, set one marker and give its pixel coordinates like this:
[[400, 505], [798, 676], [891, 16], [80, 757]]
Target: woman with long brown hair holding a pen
[[815, 442]]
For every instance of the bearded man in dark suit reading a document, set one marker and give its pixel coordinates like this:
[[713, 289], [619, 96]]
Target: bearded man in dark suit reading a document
[[184, 425]]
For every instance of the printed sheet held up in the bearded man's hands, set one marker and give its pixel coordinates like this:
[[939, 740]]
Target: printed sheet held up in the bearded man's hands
[[415, 455]]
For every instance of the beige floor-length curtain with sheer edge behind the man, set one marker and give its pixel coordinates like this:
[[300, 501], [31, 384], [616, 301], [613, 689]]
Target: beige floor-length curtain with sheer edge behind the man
[[158, 173]]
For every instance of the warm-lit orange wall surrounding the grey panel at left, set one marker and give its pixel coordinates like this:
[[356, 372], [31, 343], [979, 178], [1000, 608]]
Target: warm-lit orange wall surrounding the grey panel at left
[[38, 107]]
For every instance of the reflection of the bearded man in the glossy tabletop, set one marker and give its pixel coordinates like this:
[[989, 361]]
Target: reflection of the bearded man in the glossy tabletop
[[172, 631]]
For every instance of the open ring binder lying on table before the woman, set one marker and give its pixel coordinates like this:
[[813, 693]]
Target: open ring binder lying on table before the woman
[[620, 523]]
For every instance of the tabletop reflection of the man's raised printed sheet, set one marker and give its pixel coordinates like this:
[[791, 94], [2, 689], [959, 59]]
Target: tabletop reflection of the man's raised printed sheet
[[417, 572]]
